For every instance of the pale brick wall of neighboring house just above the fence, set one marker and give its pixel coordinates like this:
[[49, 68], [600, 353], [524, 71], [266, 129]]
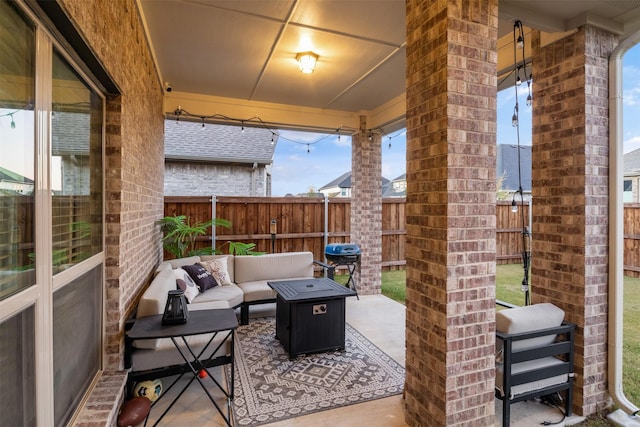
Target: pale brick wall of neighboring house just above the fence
[[201, 179]]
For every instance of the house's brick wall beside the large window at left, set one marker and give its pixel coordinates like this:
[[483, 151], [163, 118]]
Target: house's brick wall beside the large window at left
[[134, 158]]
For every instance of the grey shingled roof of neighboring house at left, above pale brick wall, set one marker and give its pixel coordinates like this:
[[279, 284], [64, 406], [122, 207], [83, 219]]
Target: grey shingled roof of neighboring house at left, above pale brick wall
[[190, 141]]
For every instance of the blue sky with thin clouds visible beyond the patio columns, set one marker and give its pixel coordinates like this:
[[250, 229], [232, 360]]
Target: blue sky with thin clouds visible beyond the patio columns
[[296, 171]]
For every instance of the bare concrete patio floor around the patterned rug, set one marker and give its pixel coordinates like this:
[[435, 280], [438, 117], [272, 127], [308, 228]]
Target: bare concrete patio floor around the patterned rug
[[382, 321]]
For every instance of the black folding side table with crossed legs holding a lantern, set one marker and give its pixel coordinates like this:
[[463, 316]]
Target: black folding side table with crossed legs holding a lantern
[[212, 321]]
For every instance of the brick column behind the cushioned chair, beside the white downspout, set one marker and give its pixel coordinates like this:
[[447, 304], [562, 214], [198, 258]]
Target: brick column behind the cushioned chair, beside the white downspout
[[570, 196]]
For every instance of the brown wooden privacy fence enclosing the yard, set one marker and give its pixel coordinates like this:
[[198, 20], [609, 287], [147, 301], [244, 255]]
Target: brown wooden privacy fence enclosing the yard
[[309, 223]]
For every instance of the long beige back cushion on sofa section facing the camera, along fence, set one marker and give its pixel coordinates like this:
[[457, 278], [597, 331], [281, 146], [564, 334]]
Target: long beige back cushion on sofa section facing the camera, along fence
[[283, 266]]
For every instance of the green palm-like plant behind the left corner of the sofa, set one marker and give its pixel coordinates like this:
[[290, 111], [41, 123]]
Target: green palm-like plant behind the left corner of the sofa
[[180, 234]]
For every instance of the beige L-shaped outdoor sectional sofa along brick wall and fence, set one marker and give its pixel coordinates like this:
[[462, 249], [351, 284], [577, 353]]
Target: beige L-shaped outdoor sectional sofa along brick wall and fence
[[242, 282]]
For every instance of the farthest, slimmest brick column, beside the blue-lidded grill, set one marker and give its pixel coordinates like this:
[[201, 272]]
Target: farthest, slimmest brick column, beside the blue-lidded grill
[[366, 207]]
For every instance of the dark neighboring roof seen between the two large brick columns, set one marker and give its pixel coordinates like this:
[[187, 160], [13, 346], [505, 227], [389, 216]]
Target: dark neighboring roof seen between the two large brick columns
[[507, 166]]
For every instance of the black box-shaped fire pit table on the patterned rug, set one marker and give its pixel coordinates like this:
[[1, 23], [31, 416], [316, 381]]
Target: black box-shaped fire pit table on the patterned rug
[[310, 314]]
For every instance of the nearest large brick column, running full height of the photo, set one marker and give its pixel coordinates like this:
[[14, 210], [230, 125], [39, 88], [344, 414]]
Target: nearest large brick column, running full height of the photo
[[451, 223]]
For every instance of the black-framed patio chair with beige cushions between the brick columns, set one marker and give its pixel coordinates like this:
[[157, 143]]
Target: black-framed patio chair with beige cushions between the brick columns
[[534, 355]]
